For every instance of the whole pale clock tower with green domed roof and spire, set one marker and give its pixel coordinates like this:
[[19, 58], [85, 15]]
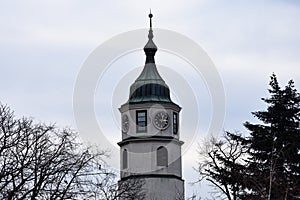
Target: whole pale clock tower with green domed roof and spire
[[151, 148]]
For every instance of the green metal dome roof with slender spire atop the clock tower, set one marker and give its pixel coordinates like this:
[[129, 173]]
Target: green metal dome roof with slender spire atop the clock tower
[[149, 86]]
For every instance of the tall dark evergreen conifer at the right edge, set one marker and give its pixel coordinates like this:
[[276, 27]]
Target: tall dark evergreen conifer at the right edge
[[274, 146]]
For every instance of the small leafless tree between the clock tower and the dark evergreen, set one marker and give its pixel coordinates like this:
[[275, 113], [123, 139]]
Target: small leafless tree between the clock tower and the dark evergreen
[[221, 165]]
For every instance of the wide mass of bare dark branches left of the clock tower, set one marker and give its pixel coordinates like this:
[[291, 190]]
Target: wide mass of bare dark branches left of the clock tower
[[39, 161]]
